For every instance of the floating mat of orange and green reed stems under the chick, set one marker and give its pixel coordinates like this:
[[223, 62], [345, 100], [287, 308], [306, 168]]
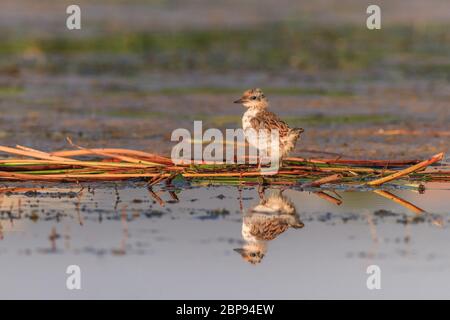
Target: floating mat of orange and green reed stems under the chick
[[106, 164]]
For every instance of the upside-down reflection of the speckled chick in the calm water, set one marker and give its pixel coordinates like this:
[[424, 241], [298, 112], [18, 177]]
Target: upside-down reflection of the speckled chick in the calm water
[[264, 222]]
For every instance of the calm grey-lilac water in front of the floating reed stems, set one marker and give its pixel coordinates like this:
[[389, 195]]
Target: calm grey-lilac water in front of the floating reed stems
[[130, 244]]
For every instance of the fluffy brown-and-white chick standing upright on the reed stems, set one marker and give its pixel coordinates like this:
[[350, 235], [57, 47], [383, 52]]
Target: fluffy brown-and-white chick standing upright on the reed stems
[[258, 119]]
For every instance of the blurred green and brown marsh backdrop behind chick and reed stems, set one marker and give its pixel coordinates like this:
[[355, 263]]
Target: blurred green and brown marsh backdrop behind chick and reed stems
[[139, 69]]
